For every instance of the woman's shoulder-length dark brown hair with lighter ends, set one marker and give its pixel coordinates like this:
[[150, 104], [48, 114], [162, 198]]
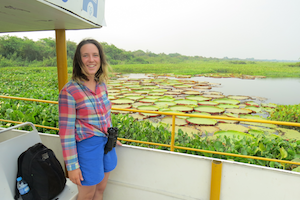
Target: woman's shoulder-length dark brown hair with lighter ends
[[78, 72]]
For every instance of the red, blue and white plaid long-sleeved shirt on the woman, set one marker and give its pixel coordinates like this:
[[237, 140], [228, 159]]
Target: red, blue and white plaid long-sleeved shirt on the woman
[[82, 114]]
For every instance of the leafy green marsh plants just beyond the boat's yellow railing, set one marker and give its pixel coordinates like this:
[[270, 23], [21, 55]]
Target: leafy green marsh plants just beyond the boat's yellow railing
[[41, 83]]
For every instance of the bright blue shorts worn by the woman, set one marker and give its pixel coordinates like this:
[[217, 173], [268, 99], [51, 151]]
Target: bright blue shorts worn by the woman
[[92, 160]]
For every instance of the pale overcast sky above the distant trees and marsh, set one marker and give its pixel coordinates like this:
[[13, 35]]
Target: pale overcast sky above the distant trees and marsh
[[260, 29]]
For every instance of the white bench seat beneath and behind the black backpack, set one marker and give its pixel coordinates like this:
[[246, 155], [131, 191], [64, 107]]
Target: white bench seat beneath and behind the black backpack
[[9, 152]]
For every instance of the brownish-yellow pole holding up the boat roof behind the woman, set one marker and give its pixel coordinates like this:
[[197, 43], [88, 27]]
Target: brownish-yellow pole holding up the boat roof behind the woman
[[61, 55]]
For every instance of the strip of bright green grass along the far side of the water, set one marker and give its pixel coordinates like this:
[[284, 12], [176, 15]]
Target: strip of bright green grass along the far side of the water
[[269, 69]]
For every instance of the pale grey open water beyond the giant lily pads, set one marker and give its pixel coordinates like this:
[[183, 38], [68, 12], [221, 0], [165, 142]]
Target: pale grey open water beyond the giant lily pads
[[284, 91]]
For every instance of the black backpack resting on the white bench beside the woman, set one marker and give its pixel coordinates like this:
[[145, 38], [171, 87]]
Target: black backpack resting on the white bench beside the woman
[[39, 167]]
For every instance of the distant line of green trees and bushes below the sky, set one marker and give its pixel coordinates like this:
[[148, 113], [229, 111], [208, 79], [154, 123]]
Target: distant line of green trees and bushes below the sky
[[16, 51]]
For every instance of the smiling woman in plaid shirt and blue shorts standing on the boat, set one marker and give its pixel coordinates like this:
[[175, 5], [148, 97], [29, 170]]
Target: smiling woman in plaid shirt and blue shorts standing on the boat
[[84, 117]]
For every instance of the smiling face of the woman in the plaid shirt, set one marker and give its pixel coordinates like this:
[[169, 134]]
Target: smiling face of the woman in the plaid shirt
[[90, 58]]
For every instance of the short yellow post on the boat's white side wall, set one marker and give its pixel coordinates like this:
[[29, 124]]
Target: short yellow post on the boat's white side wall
[[216, 174]]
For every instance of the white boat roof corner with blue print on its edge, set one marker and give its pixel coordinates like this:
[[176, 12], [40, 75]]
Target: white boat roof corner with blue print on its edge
[[39, 15]]
